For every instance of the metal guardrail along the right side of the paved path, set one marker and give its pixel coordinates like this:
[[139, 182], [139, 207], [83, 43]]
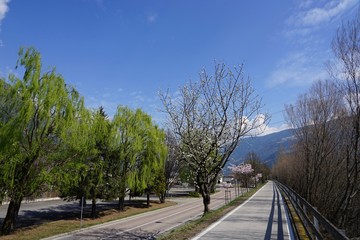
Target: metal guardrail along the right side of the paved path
[[316, 224]]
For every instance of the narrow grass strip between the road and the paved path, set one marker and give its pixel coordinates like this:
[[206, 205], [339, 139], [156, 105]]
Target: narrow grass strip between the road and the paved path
[[194, 227]]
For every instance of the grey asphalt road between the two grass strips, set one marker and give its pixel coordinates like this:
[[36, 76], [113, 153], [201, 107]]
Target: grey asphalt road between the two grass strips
[[150, 224]]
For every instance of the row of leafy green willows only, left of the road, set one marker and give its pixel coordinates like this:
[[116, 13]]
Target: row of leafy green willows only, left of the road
[[49, 139]]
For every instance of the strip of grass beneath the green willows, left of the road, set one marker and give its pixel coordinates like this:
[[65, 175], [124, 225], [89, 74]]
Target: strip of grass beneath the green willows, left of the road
[[63, 226]]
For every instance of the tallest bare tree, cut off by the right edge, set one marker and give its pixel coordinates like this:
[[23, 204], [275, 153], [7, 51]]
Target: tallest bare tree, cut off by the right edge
[[346, 48]]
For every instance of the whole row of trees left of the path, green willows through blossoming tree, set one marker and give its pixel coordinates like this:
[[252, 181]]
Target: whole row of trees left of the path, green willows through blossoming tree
[[50, 140]]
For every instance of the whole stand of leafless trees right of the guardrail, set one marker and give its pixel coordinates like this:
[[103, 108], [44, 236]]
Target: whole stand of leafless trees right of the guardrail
[[324, 165]]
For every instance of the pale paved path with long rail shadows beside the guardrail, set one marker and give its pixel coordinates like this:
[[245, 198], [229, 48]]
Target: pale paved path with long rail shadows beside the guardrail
[[261, 217]]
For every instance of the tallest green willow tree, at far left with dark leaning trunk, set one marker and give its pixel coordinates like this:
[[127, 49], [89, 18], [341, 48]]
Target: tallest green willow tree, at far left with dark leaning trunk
[[35, 112]]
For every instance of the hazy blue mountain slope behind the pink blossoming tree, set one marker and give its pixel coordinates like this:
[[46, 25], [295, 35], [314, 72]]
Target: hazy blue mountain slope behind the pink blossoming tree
[[266, 147]]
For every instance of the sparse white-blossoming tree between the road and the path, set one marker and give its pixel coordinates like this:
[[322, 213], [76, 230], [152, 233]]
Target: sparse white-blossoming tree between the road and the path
[[209, 118]]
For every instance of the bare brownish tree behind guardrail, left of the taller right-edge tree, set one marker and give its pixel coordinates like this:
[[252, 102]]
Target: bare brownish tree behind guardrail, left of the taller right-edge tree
[[315, 118]]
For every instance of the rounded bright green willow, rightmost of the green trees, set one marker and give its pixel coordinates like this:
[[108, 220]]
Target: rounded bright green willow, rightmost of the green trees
[[138, 151]]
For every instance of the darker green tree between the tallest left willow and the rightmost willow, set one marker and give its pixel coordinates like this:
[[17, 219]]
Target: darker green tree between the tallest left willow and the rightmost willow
[[82, 176]]
